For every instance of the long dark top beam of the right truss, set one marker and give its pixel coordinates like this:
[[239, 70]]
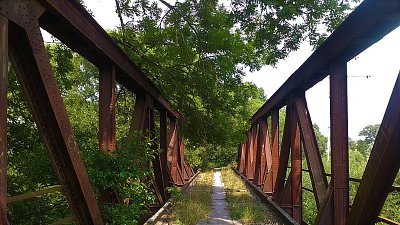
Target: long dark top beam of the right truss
[[370, 22]]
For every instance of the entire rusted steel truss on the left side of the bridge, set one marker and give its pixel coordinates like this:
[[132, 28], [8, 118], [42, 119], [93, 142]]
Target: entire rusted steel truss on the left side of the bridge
[[22, 43]]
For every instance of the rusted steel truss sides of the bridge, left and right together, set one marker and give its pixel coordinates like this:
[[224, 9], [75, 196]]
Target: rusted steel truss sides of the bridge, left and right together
[[273, 166]]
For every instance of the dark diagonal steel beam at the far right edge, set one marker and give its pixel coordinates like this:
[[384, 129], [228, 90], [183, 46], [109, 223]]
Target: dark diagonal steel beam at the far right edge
[[382, 167]]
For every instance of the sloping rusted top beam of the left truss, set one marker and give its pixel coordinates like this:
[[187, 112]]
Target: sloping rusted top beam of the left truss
[[74, 26]]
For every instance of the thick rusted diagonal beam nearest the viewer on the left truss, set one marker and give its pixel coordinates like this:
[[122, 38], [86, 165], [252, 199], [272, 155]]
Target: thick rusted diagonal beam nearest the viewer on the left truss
[[31, 63]]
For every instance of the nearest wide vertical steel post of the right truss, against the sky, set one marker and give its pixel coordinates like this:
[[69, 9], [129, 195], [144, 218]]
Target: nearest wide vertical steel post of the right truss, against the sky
[[339, 142]]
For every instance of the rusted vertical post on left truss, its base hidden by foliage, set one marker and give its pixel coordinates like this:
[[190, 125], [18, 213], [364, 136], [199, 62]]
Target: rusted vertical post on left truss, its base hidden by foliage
[[107, 100]]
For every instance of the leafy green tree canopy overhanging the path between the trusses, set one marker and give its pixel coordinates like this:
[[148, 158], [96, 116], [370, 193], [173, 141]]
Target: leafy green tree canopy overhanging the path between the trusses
[[197, 51]]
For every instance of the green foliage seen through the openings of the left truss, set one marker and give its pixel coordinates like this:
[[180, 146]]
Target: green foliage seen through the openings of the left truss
[[29, 166]]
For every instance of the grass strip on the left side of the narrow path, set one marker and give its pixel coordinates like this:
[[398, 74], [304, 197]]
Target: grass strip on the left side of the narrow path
[[189, 208]]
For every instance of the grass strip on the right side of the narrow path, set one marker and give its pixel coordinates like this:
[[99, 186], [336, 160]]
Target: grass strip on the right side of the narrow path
[[242, 205]]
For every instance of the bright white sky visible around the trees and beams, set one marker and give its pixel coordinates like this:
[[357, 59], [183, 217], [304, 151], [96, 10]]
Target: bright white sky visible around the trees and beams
[[367, 97]]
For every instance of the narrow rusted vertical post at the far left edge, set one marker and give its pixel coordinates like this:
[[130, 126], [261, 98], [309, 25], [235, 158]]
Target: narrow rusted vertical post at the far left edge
[[3, 117]]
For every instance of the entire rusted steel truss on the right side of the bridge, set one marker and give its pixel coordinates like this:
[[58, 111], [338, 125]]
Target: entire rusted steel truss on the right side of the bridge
[[264, 159]]
